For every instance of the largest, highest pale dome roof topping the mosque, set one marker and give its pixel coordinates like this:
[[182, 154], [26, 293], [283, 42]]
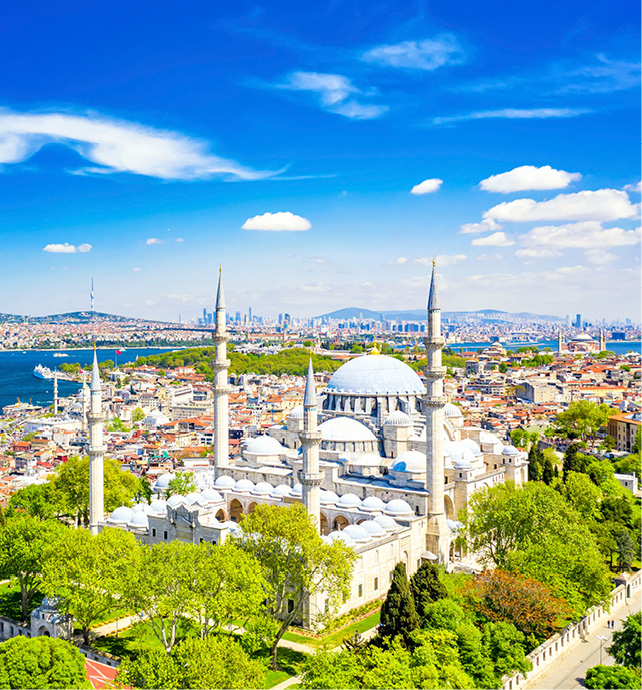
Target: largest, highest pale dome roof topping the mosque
[[375, 375]]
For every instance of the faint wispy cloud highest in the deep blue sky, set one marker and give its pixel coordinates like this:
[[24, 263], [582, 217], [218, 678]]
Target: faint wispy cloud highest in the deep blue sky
[[426, 55]]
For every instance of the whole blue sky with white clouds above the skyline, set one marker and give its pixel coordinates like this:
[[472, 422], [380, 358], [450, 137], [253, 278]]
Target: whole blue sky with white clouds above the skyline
[[322, 153]]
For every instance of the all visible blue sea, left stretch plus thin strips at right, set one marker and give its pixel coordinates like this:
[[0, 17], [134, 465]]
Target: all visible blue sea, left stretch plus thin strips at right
[[18, 382]]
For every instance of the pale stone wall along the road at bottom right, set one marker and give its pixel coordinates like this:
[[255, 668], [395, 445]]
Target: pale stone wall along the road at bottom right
[[544, 656]]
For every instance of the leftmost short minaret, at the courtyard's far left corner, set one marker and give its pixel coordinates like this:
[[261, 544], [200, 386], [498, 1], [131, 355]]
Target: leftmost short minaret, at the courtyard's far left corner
[[96, 451]]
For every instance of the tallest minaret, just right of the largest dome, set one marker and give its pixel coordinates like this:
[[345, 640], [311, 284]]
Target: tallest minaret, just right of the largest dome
[[437, 537]]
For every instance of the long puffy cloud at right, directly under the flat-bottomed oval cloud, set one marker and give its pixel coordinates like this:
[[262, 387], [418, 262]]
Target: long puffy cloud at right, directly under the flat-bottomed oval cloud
[[601, 204]]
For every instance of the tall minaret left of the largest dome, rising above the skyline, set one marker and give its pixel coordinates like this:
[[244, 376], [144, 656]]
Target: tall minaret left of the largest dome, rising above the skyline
[[221, 389]]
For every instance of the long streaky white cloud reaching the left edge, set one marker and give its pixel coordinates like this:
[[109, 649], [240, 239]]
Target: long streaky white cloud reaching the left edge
[[115, 146]]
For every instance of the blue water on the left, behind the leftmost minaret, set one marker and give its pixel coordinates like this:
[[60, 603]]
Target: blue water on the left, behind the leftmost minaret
[[17, 379]]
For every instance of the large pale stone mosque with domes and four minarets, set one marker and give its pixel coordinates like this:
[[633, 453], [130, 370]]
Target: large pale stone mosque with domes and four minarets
[[380, 460]]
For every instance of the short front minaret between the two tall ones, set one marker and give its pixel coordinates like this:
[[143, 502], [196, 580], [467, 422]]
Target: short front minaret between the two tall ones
[[310, 437]]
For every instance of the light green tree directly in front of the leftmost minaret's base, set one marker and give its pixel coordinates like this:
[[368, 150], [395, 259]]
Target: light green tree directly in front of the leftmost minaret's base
[[90, 573]]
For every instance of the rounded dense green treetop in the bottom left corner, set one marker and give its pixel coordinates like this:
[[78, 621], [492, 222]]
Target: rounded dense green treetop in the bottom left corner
[[41, 662]]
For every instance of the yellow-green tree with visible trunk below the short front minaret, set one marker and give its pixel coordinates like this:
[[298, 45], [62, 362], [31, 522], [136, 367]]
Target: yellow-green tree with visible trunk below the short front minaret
[[298, 564]]
